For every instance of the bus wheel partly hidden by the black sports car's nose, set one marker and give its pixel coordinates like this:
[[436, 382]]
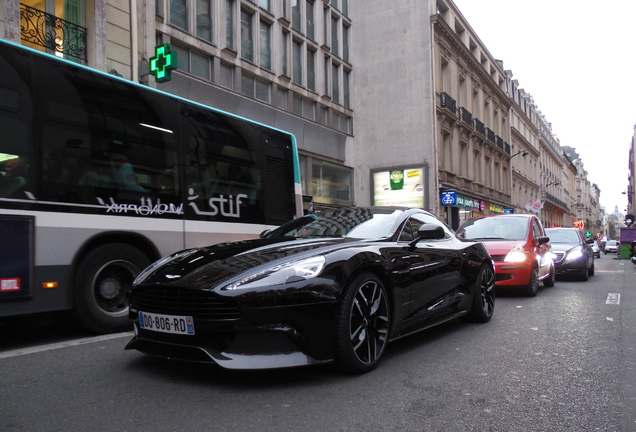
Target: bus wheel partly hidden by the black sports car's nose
[[102, 280]]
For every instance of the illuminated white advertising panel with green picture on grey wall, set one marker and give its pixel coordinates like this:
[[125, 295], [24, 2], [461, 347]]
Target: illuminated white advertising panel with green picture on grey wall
[[402, 187]]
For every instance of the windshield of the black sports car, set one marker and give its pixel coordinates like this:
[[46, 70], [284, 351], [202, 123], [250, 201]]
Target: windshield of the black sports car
[[349, 222]]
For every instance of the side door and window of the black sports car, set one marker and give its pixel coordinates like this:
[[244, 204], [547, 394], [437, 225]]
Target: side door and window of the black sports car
[[433, 270]]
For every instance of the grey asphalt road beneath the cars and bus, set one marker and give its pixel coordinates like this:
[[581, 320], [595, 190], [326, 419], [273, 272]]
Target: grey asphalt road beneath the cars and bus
[[562, 361]]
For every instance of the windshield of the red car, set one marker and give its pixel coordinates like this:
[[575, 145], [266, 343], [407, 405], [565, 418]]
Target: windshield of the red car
[[495, 228]]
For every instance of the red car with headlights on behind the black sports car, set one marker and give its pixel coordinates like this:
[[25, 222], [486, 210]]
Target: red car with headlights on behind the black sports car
[[519, 248]]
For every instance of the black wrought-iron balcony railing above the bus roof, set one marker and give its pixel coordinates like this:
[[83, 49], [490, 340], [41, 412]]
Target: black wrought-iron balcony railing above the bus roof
[[53, 33]]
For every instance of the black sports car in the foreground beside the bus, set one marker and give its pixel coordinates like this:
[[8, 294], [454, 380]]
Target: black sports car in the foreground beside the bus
[[333, 286]]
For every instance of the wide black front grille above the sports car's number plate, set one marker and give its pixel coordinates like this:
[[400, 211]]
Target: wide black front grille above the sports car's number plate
[[183, 301]]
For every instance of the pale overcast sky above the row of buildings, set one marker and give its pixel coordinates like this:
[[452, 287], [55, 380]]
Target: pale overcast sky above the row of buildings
[[576, 58]]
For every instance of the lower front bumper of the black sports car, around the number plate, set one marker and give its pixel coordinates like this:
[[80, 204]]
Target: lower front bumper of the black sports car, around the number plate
[[263, 338]]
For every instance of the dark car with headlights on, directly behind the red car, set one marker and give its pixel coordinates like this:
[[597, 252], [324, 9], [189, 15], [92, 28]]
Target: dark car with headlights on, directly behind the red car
[[573, 255]]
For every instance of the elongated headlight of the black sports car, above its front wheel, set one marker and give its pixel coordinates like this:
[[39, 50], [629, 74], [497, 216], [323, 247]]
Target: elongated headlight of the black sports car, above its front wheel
[[281, 274]]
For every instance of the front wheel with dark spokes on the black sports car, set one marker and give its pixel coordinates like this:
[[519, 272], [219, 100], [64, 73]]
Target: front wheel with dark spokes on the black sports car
[[362, 324]]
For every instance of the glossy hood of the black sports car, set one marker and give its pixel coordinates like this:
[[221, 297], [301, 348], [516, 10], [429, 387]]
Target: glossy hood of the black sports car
[[210, 266]]
